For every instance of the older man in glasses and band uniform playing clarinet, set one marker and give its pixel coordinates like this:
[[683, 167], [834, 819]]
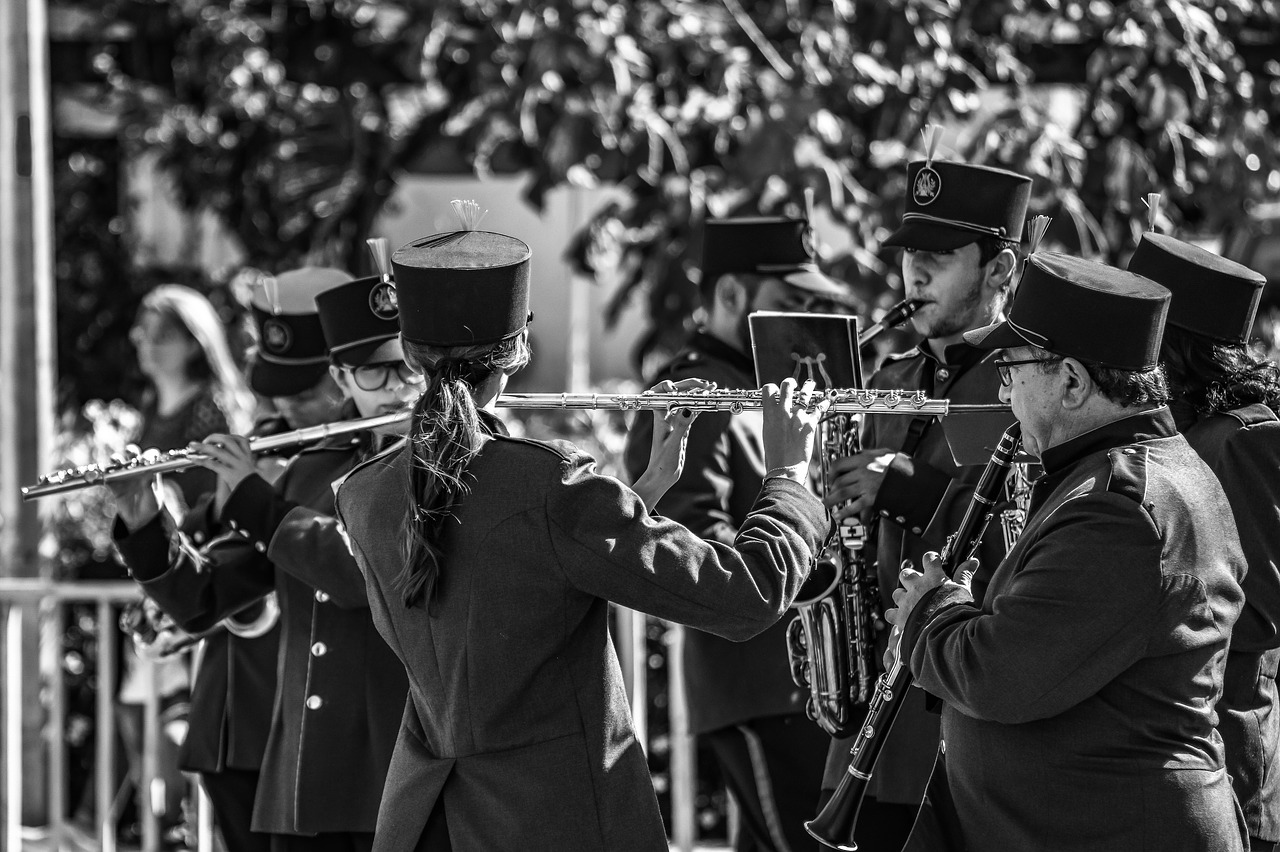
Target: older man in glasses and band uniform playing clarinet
[[1080, 693]]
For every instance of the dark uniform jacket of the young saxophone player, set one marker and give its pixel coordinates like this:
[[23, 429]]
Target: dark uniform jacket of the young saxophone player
[[921, 502]]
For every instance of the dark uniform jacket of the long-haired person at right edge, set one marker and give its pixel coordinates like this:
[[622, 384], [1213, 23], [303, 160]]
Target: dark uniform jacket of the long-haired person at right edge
[[1242, 447]]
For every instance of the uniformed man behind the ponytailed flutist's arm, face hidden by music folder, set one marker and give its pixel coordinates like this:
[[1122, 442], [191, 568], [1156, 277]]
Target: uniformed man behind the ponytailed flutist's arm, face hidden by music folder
[[742, 699]]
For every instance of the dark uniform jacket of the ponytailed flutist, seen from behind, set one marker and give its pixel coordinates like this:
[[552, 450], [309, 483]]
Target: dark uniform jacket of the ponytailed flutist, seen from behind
[[518, 722]]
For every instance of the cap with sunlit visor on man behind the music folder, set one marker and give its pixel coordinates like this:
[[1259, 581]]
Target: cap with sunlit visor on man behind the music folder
[[766, 246]]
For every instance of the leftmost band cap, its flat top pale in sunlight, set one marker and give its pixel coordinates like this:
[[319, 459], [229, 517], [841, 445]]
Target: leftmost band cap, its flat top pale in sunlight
[[291, 354]]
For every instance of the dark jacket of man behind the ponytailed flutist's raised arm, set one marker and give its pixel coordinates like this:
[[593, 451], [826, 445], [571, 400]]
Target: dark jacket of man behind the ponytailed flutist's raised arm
[[726, 682]]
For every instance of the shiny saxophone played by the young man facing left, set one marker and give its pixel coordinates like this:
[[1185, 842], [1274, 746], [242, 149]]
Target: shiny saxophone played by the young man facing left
[[831, 643]]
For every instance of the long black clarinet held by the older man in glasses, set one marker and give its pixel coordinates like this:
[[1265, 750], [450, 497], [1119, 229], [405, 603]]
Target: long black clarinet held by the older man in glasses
[[835, 826]]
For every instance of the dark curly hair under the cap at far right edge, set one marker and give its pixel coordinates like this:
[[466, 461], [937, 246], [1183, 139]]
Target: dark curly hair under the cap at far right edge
[[1214, 377]]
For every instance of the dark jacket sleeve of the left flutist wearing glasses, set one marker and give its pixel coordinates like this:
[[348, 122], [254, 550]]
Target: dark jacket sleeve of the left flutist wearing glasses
[[301, 542]]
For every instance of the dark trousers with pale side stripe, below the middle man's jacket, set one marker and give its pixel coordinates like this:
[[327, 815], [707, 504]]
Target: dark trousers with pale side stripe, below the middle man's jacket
[[774, 771]]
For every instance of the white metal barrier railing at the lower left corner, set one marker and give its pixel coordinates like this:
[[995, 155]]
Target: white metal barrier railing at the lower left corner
[[45, 601]]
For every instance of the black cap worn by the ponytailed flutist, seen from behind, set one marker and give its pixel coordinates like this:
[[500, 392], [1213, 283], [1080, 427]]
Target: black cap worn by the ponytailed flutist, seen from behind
[[463, 288]]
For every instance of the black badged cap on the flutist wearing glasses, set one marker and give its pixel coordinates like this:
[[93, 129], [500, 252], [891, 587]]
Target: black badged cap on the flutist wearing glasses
[[358, 319]]
